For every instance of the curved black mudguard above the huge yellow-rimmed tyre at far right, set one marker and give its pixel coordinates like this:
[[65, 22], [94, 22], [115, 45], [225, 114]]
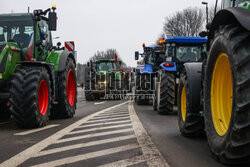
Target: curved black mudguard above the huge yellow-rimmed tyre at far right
[[236, 15]]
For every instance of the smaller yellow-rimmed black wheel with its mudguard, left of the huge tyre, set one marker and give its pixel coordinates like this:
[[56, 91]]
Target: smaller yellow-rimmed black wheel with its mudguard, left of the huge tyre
[[190, 120]]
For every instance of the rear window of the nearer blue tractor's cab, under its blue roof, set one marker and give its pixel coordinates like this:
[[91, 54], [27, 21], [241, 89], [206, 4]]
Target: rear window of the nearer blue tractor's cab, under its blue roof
[[188, 53]]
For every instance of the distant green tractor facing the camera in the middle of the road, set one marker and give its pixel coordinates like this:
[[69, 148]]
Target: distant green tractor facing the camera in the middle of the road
[[103, 78]]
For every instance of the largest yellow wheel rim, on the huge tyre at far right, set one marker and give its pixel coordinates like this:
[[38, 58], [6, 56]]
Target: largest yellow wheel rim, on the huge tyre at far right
[[221, 94]]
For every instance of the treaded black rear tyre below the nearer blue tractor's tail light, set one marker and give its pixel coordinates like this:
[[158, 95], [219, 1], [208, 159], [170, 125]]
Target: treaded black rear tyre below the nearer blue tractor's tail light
[[166, 94]]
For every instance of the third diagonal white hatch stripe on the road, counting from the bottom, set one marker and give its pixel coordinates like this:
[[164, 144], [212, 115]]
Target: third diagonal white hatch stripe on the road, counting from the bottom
[[92, 143]]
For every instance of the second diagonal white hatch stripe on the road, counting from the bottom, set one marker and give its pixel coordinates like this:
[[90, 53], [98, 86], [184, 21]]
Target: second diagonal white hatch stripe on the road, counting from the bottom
[[73, 159]]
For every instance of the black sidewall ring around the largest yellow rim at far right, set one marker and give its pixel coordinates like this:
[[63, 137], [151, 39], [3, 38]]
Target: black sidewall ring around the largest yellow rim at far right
[[217, 143]]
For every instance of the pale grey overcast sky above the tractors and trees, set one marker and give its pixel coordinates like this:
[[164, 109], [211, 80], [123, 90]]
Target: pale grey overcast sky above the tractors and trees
[[102, 24]]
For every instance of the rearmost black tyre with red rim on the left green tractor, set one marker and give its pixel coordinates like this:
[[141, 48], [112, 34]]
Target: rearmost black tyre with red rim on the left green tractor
[[67, 92]]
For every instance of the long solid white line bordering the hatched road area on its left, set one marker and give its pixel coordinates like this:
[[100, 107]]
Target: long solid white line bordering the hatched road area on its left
[[35, 149]]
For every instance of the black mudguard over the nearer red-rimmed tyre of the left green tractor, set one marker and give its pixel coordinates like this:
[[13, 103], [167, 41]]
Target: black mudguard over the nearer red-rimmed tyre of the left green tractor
[[49, 67]]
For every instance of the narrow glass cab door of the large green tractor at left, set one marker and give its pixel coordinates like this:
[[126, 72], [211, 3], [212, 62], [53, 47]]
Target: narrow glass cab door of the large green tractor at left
[[44, 41]]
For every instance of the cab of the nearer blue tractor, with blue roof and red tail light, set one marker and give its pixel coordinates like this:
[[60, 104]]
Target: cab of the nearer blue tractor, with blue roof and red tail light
[[180, 50]]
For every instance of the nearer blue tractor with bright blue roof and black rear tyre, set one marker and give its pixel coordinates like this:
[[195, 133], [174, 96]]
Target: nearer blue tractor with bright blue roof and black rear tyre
[[179, 50]]
